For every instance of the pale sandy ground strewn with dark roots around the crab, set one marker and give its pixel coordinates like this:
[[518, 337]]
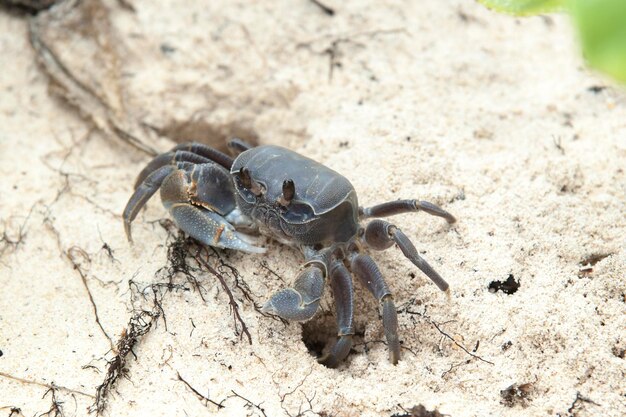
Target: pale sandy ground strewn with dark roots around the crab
[[494, 118]]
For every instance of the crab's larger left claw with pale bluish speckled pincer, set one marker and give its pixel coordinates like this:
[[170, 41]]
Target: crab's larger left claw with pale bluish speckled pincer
[[203, 225]]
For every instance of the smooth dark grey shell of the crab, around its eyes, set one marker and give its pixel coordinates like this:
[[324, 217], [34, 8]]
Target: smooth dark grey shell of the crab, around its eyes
[[323, 211]]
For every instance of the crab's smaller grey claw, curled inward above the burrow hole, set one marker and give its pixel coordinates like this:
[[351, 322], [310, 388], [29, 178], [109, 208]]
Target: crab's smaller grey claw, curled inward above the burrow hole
[[300, 302]]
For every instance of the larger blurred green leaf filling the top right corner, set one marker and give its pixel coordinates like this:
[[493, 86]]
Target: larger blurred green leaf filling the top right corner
[[602, 30]]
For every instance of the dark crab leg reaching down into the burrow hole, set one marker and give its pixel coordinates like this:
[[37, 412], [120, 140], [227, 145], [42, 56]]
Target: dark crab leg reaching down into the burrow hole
[[341, 282]]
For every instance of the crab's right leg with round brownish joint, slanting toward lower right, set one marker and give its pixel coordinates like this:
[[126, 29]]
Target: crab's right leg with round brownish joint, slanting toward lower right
[[380, 235]]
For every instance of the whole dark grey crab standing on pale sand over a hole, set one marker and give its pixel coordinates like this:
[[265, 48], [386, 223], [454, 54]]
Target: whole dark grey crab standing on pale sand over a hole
[[273, 191]]
